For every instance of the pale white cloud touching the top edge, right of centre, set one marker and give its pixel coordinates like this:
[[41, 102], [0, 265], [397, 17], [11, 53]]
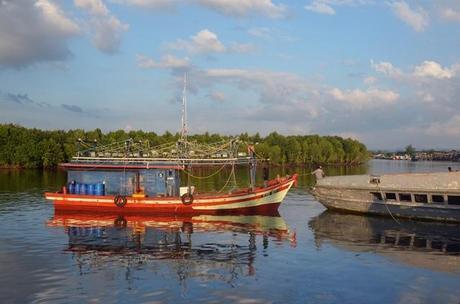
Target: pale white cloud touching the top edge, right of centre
[[241, 8]]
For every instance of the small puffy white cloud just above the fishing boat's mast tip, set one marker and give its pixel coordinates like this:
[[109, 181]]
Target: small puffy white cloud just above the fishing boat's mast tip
[[207, 42]]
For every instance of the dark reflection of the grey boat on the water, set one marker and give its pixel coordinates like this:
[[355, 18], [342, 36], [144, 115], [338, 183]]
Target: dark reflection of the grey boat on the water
[[431, 245]]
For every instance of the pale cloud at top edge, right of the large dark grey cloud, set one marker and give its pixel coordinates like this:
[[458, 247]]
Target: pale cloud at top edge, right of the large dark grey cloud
[[106, 29]]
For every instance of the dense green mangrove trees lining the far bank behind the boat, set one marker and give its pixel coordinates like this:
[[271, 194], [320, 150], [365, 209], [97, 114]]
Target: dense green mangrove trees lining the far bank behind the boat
[[32, 148]]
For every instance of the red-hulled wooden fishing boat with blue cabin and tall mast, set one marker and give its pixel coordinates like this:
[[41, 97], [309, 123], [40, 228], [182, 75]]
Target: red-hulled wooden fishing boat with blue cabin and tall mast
[[133, 177]]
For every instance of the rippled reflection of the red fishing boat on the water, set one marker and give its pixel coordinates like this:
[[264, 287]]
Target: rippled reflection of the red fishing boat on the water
[[191, 246]]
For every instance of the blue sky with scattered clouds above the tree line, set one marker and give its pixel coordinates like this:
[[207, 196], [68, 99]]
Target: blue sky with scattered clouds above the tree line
[[384, 72]]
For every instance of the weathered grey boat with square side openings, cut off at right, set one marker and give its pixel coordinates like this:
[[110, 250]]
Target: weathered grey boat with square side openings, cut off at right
[[425, 196]]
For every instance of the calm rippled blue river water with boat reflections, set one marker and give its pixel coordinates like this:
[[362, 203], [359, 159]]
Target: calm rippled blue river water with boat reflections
[[305, 255]]
